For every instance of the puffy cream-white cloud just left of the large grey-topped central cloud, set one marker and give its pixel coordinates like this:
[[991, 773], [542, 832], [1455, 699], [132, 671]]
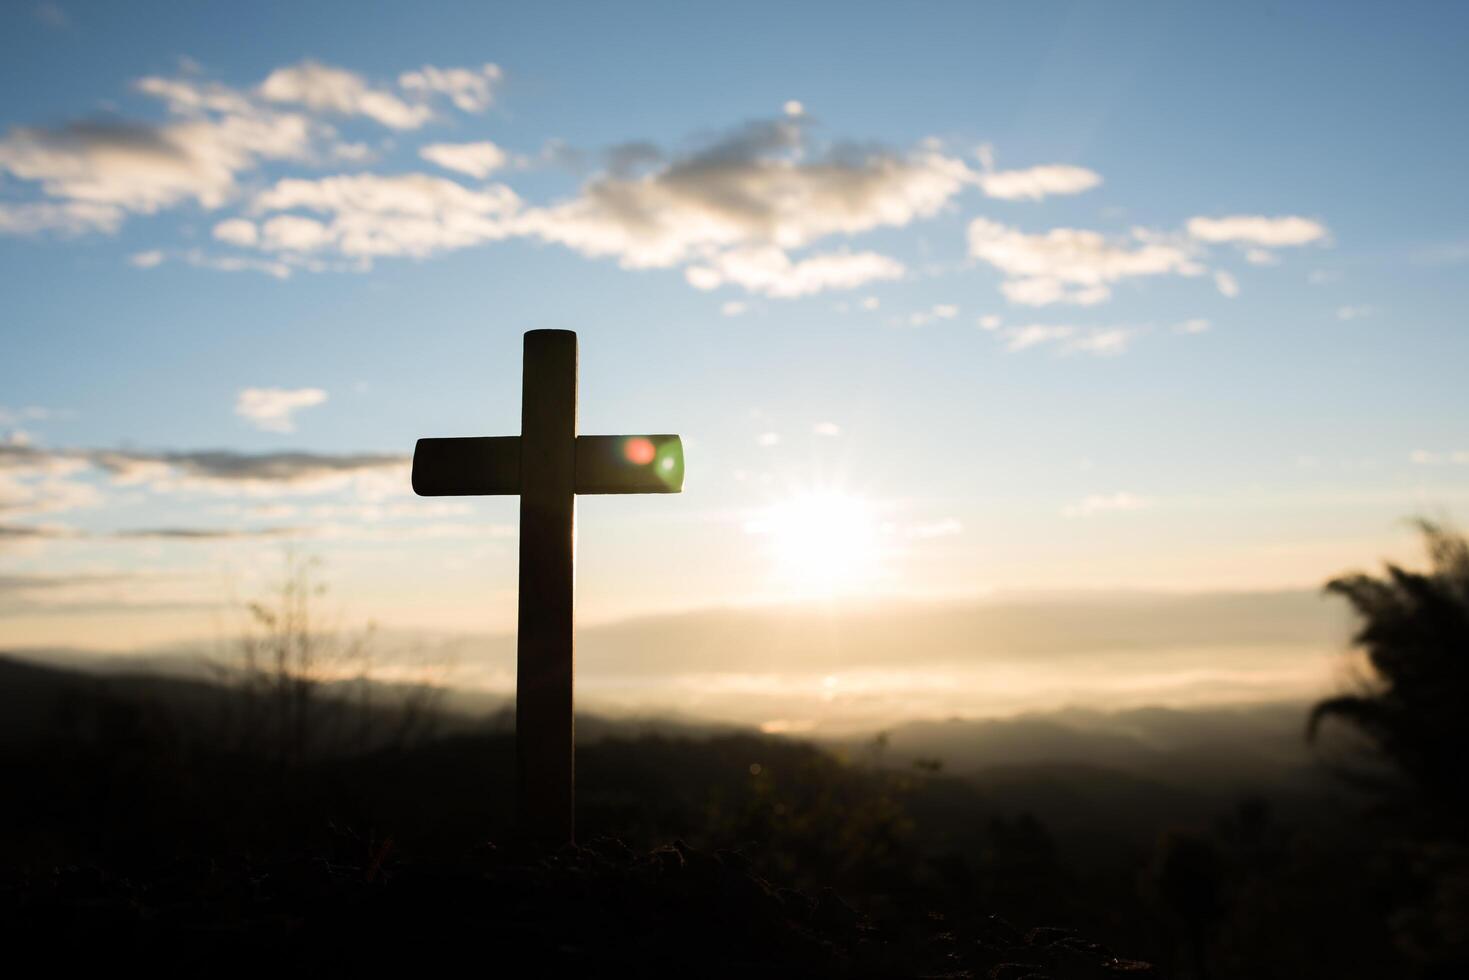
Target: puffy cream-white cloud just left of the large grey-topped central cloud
[[402, 215]]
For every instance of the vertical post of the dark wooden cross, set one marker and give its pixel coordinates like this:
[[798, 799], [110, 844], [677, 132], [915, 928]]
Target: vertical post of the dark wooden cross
[[544, 657]]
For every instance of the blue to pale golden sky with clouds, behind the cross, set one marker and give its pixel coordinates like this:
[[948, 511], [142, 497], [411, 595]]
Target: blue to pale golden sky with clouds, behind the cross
[[951, 303]]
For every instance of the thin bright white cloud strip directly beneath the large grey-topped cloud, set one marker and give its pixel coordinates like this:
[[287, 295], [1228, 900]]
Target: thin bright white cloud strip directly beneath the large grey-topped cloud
[[772, 273]]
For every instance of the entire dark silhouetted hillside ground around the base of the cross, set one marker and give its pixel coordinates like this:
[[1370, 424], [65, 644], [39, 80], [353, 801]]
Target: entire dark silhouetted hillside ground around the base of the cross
[[170, 824]]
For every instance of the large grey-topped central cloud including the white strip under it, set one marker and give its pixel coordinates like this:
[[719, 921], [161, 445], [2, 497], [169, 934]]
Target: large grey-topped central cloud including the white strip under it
[[753, 195]]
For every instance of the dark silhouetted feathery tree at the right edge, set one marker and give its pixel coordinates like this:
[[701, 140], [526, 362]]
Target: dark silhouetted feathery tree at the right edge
[[1415, 634]]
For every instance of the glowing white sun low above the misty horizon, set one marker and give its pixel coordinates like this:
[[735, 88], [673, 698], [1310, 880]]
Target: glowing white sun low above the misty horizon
[[822, 543]]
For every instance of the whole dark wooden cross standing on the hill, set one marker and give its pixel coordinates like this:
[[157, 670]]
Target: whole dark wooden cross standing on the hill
[[549, 464]]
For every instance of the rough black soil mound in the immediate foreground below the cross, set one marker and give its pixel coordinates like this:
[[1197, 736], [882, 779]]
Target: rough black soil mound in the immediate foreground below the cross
[[600, 910]]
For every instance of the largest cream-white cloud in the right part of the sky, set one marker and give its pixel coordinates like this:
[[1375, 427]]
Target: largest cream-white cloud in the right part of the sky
[[1070, 265]]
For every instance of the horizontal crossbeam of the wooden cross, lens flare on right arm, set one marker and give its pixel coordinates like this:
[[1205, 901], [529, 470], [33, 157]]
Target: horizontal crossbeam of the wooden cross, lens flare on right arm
[[604, 465]]
